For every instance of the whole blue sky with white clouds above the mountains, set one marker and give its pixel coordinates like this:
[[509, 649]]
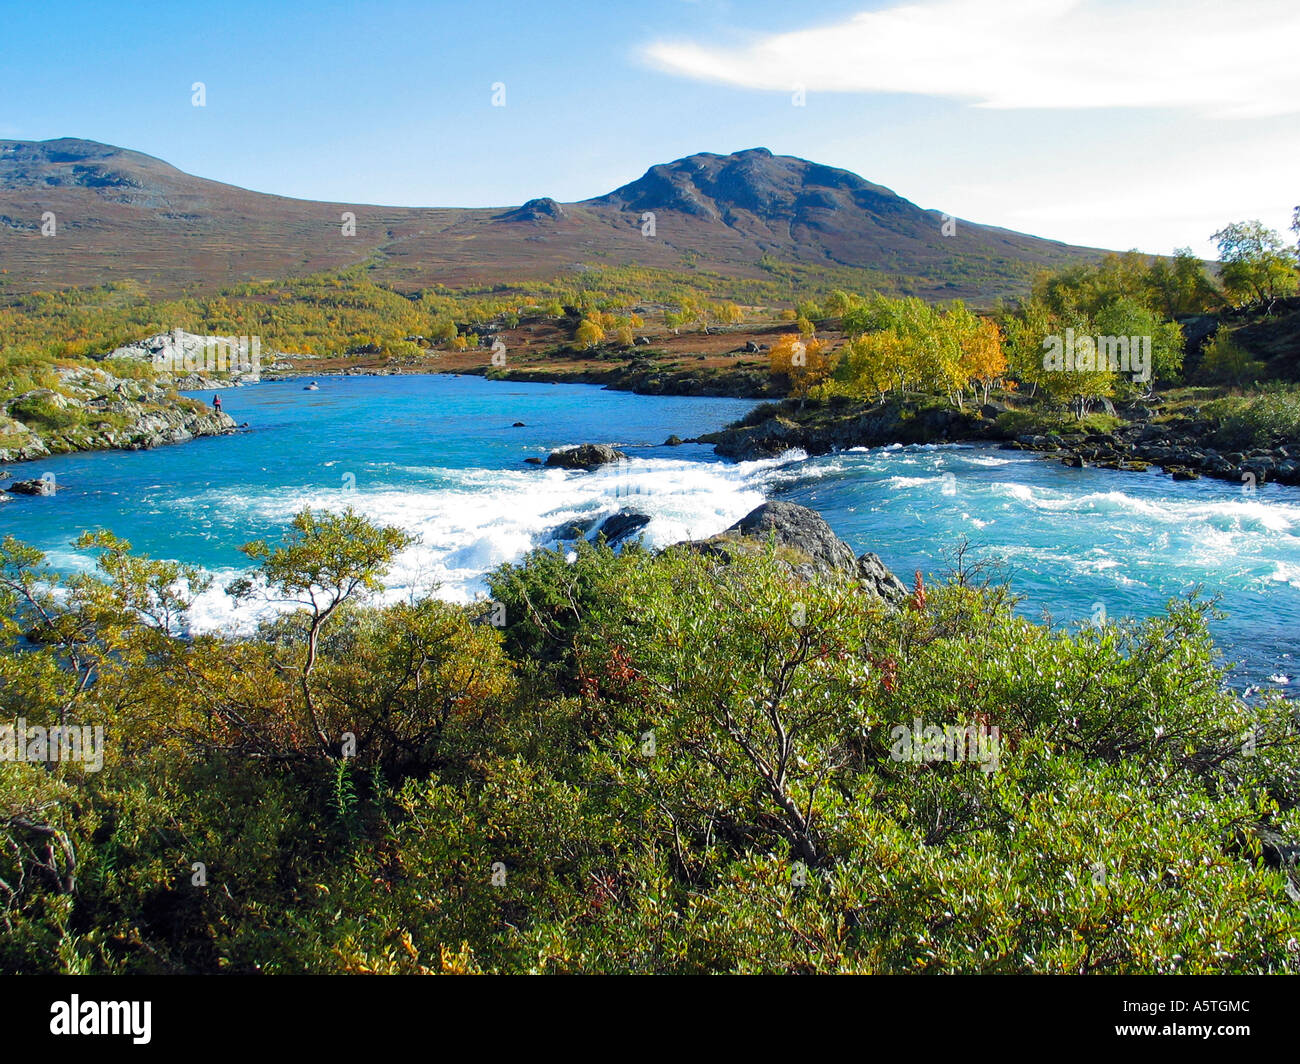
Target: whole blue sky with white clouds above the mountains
[[1137, 124]]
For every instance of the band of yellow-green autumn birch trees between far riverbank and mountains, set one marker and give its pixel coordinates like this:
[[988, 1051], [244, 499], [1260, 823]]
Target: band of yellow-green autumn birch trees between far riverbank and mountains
[[842, 332]]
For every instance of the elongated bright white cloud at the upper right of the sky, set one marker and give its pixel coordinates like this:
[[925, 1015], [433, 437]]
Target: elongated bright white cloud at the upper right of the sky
[[1220, 60]]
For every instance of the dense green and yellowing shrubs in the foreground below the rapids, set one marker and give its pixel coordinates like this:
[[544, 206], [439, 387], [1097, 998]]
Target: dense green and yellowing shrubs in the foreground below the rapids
[[626, 763]]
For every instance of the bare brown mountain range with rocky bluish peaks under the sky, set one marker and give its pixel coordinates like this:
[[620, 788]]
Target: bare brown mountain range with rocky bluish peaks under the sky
[[124, 215]]
